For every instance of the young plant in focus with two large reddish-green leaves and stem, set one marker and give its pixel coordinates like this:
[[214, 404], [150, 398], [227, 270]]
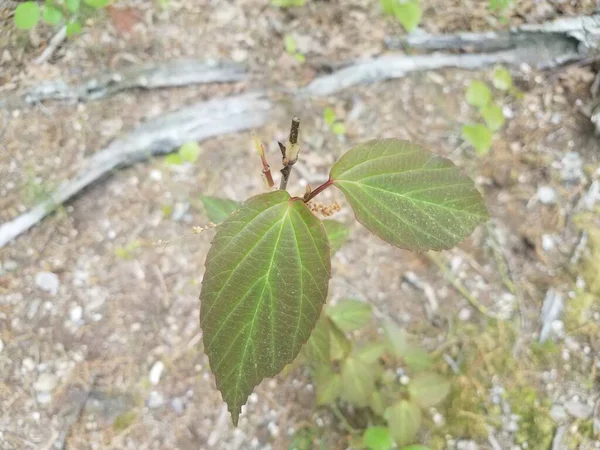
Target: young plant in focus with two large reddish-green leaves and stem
[[268, 268]]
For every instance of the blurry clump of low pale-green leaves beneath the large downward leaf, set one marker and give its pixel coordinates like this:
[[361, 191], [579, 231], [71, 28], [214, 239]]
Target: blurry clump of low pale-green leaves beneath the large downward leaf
[[381, 386]]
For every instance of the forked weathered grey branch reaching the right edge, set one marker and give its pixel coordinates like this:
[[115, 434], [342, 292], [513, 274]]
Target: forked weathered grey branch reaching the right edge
[[542, 46]]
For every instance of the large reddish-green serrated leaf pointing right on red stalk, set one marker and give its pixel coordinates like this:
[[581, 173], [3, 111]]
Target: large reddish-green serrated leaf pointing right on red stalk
[[408, 196]]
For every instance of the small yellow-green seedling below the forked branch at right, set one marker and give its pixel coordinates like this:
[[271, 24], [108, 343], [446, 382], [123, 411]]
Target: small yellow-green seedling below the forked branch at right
[[478, 94]]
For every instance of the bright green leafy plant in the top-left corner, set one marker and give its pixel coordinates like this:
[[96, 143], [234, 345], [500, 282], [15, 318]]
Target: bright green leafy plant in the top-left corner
[[54, 12]]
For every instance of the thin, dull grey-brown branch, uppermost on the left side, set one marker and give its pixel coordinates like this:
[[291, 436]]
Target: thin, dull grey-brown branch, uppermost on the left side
[[168, 74]]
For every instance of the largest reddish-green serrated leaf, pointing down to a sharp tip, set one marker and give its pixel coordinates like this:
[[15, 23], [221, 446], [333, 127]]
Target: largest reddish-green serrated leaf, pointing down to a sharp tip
[[265, 284]]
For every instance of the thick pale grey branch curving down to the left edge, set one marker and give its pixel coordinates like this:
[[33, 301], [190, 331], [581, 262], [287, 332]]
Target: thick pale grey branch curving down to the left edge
[[159, 136]]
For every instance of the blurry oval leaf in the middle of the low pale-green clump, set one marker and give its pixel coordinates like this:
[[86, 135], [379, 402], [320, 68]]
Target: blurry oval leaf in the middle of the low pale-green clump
[[358, 382]]
